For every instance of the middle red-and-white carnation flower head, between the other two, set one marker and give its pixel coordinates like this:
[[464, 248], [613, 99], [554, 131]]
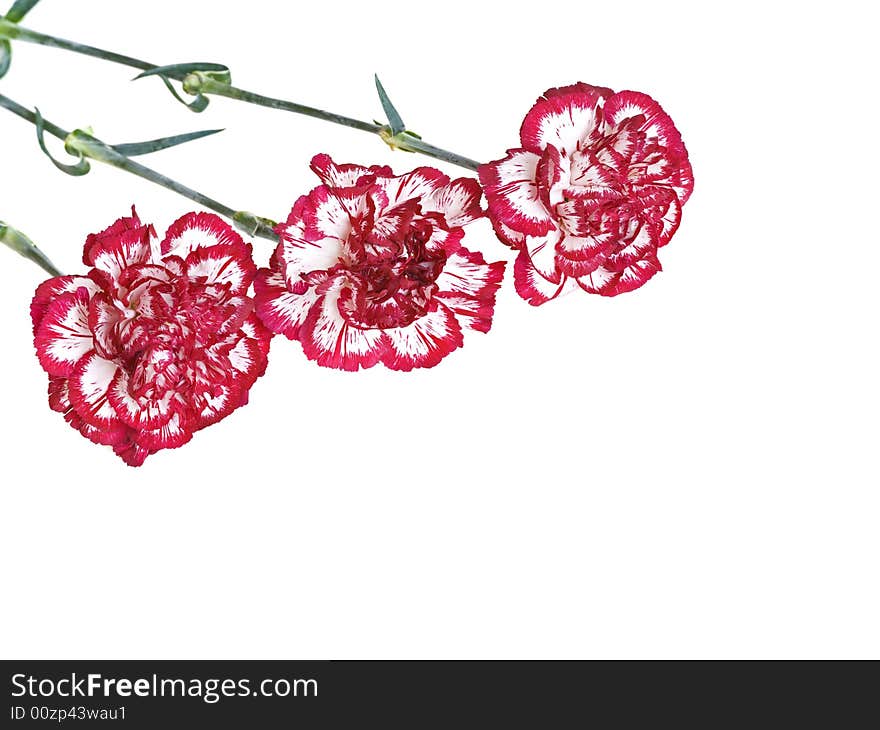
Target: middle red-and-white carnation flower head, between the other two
[[370, 268]]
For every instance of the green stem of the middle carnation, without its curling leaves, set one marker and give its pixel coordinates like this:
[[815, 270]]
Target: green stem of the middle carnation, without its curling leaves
[[94, 149]]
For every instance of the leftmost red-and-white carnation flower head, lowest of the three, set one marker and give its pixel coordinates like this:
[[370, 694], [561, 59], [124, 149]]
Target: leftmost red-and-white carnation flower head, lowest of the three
[[158, 340]]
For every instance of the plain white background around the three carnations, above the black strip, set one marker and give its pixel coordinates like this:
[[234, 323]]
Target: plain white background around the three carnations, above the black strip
[[684, 471]]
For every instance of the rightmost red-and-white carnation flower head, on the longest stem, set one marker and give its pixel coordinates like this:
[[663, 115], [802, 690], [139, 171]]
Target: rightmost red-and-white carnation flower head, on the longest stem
[[595, 190]]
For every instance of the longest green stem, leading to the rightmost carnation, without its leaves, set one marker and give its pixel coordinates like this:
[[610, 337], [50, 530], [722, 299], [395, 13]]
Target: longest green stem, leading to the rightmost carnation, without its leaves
[[198, 83]]
